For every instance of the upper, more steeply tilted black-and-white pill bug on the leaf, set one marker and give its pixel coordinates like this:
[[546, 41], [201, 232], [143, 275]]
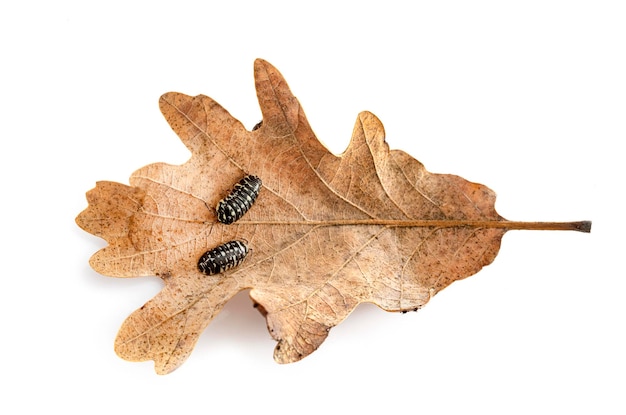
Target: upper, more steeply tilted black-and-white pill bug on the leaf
[[239, 201]]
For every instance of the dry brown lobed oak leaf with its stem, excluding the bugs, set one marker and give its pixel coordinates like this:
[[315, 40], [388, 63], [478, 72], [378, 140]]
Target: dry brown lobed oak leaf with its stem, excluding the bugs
[[326, 233]]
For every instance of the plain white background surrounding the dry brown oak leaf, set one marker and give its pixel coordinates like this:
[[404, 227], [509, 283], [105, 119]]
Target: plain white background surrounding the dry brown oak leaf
[[525, 97]]
